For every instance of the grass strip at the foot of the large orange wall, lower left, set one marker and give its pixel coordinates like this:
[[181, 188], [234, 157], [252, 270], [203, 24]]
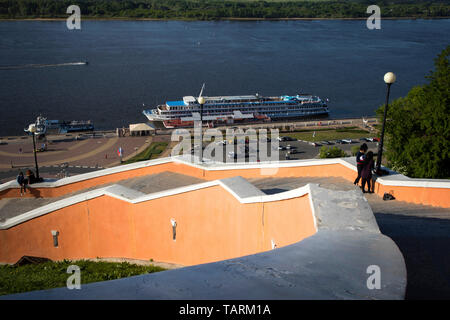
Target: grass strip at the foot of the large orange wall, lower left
[[50, 274]]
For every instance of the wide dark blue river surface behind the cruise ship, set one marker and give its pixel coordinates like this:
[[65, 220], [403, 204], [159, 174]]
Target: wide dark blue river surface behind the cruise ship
[[136, 62]]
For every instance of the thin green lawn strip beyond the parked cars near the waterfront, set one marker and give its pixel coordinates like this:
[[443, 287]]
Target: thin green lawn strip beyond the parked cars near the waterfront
[[328, 134]]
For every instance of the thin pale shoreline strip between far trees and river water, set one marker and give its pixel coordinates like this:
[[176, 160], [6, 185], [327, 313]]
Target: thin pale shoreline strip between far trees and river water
[[219, 19]]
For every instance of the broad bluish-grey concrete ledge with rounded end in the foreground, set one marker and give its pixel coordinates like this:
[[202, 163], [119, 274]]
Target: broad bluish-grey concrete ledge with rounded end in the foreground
[[328, 265]]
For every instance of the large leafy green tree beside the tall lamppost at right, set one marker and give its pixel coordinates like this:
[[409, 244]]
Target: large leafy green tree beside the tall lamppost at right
[[417, 128]]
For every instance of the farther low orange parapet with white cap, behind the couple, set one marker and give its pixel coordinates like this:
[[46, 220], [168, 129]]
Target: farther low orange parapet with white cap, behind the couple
[[424, 191]]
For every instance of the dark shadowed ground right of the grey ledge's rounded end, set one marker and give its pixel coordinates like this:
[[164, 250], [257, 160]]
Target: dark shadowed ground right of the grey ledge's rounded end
[[424, 243]]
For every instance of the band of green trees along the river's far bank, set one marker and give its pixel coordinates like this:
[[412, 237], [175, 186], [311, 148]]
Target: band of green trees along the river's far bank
[[215, 9]]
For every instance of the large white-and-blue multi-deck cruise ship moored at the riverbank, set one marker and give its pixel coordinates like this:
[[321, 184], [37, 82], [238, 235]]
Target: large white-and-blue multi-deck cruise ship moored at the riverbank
[[235, 109]]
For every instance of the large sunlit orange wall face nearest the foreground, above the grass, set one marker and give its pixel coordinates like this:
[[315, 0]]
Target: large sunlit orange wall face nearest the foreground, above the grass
[[211, 225]]
